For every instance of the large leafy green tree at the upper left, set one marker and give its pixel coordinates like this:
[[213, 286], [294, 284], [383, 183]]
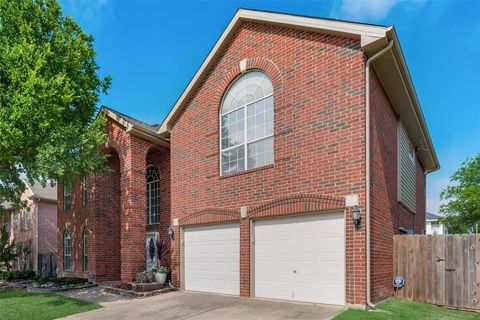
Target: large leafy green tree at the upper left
[[49, 89]]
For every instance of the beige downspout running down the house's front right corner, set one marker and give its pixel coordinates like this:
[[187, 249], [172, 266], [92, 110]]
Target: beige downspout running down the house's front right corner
[[367, 157]]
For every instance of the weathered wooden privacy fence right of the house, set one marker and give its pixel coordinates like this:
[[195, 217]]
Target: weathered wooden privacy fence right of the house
[[438, 269]]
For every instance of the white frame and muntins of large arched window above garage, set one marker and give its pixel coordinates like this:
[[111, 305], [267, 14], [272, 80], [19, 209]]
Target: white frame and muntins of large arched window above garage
[[246, 142]]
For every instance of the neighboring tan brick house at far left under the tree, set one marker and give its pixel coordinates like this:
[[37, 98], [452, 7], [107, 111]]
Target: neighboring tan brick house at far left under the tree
[[34, 225]]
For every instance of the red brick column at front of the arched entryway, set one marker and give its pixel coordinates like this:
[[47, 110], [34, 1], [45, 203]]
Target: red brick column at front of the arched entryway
[[133, 220]]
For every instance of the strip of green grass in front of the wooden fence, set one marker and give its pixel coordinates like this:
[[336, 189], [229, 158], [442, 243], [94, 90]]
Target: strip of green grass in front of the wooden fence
[[399, 309]]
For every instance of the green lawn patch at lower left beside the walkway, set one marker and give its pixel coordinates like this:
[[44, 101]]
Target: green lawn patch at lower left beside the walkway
[[21, 305]]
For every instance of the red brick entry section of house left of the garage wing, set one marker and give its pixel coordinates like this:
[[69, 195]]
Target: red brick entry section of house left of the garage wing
[[116, 211]]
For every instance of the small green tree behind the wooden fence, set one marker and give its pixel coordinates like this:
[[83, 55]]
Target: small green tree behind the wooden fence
[[462, 212]]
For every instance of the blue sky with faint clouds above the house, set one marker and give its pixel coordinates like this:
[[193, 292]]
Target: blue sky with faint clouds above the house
[[153, 48]]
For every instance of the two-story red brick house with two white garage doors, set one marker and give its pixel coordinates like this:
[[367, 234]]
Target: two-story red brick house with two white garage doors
[[292, 127]]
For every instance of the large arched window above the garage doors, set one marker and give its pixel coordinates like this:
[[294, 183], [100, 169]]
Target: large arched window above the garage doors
[[246, 124]]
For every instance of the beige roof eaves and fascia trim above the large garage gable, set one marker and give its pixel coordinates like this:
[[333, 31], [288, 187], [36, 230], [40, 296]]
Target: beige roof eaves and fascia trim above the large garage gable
[[391, 69]]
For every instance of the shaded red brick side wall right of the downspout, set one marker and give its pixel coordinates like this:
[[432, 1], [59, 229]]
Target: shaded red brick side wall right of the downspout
[[387, 214]]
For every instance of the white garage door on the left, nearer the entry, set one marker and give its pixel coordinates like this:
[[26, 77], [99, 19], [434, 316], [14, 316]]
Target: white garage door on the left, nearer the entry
[[212, 256]]
